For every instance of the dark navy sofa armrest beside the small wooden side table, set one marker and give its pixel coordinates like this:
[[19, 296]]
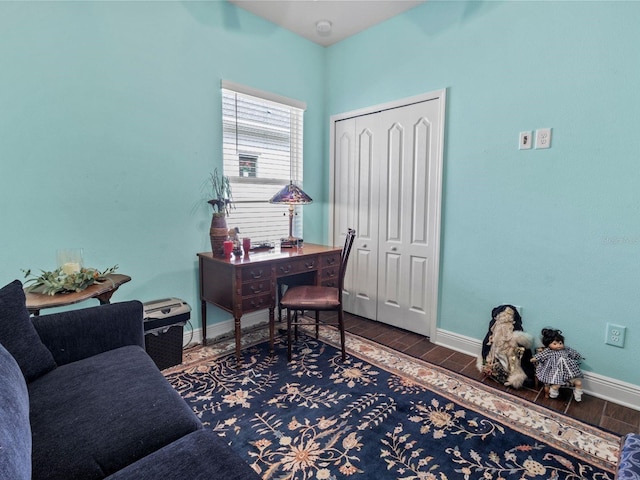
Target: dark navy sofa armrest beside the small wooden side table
[[83, 333]]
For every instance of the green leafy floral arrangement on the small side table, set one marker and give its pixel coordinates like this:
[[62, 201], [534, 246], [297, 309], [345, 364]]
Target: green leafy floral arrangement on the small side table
[[61, 280]]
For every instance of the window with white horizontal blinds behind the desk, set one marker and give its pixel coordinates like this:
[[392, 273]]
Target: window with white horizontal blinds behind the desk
[[262, 148]]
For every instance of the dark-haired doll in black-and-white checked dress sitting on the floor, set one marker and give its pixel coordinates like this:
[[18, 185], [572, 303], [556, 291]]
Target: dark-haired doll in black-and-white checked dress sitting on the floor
[[557, 365]]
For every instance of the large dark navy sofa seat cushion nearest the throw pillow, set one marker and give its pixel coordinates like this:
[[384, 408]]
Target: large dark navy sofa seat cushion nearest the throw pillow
[[95, 416]]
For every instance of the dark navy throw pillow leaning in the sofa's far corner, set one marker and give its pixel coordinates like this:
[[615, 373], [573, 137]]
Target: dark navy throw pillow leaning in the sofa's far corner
[[19, 336]]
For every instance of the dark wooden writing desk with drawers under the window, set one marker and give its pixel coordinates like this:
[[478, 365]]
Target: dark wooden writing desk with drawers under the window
[[246, 284]]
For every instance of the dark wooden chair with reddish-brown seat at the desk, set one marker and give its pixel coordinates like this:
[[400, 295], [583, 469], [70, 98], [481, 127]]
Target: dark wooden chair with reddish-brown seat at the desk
[[318, 298]]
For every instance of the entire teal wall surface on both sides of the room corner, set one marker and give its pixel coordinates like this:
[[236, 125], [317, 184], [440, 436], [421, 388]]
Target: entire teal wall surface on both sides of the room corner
[[109, 125]]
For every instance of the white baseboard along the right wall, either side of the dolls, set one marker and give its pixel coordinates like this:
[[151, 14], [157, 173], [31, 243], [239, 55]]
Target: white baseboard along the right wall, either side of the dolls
[[594, 384]]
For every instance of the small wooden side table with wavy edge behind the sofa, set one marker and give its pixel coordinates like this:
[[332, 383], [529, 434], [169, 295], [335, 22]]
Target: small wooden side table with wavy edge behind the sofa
[[102, 291]]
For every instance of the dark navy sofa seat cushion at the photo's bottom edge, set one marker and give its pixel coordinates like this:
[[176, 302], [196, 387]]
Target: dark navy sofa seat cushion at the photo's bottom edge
[[201, 455]]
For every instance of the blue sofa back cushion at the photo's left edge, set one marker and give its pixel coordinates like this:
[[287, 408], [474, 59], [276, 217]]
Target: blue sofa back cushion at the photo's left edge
[[15, 435]]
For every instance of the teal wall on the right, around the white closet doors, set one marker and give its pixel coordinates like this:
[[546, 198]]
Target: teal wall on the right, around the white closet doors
[[555, 231]]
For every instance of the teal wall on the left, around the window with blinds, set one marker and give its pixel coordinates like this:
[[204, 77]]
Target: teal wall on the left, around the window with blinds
[[110, 125]]
